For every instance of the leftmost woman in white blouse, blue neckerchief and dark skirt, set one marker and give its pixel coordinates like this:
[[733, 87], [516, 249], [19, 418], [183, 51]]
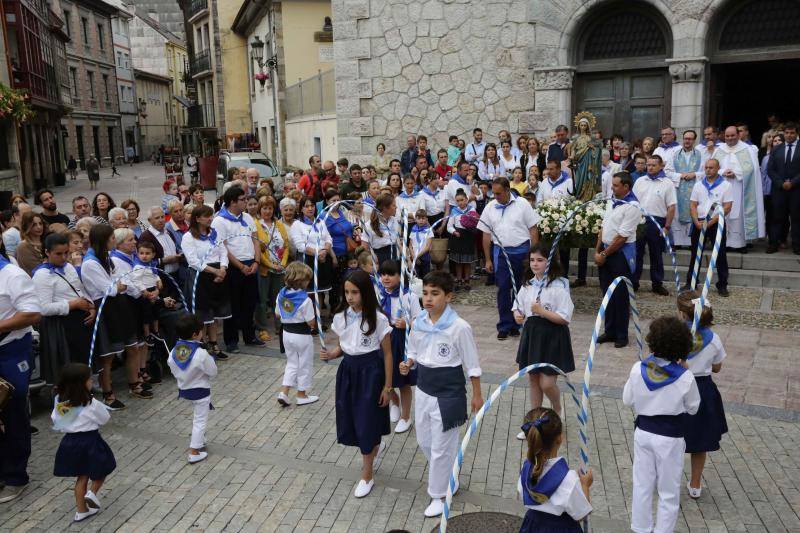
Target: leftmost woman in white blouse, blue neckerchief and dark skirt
[[65, 308]]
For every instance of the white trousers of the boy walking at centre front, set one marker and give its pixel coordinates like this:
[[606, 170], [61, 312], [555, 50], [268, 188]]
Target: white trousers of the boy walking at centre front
[[440, 447]]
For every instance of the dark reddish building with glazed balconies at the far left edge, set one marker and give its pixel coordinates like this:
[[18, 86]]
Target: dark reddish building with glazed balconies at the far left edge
[[36, 49]]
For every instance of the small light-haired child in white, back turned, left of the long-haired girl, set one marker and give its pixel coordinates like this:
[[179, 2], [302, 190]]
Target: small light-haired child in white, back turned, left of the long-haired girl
[[298, 321]]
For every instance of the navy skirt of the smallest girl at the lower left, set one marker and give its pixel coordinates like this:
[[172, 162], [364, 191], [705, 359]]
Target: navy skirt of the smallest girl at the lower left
[[84, 454]]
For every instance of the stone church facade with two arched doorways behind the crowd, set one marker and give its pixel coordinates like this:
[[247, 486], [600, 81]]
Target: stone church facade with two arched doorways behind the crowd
[[446, 66]]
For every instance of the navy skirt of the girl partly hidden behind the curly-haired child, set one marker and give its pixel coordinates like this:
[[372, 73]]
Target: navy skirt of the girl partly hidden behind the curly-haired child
[[704, 430]]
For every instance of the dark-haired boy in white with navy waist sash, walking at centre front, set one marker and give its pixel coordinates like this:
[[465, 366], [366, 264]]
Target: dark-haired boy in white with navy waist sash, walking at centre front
[[441, 348]]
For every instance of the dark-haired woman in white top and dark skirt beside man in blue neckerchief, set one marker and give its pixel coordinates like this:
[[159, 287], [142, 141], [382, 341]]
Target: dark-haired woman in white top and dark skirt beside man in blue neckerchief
[[208, 265]]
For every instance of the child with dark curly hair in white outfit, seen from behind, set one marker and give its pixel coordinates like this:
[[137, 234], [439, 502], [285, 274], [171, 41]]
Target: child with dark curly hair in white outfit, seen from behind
[[660, 391]]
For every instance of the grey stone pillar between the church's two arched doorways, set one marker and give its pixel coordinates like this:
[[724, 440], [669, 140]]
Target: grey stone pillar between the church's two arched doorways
[[688, 87]]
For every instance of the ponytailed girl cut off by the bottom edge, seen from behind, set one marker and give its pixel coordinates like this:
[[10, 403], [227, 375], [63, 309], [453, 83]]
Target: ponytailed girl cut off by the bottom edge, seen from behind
[[556, 497]]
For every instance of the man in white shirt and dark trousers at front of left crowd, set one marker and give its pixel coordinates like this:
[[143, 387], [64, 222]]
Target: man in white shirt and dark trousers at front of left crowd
[[238, 231]]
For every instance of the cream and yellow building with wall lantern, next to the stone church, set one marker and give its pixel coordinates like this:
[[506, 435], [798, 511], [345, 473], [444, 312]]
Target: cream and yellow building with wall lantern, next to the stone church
[[297, 104]]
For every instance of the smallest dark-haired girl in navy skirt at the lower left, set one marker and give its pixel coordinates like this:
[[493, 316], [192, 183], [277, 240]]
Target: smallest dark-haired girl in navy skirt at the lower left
[[82, 453]]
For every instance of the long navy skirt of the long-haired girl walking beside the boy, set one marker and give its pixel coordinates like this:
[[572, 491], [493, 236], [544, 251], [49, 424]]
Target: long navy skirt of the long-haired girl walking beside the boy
[[360, 421]]
